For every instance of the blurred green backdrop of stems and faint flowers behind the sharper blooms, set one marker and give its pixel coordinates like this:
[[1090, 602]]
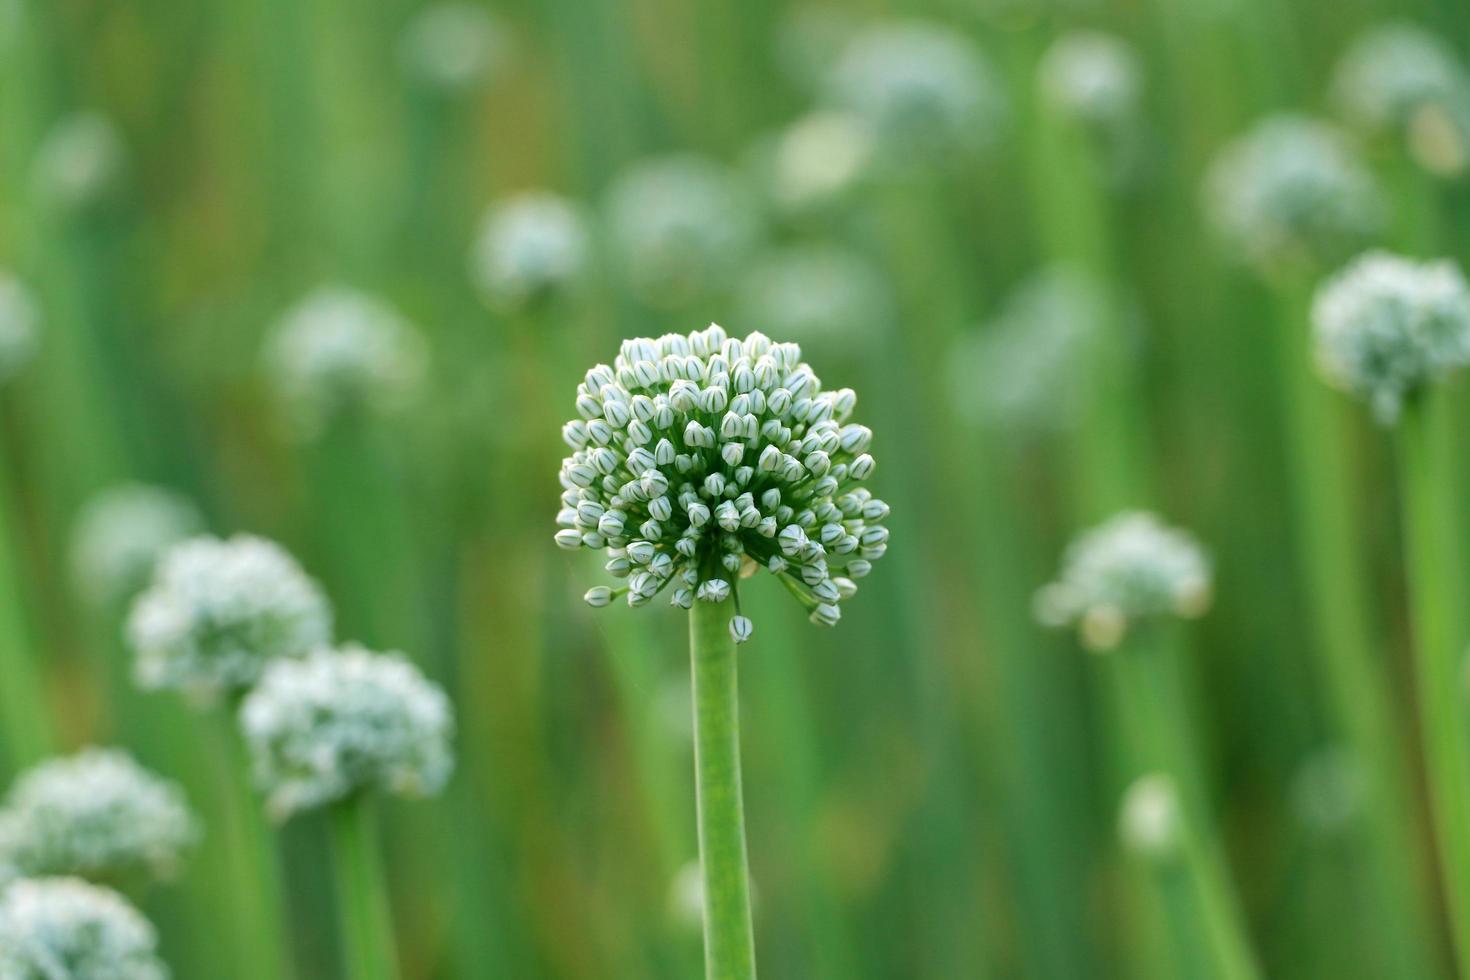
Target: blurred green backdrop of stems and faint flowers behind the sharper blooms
[[468, 205]]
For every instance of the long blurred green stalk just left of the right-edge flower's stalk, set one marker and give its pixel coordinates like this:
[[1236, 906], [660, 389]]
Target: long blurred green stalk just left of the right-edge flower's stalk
[[1347, 650]]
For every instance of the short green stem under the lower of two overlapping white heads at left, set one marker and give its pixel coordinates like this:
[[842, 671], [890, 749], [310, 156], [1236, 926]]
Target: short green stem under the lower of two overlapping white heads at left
[[362, 894]]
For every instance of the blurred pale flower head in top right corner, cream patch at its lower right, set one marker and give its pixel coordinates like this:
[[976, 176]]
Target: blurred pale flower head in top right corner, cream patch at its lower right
[[1402, 80]]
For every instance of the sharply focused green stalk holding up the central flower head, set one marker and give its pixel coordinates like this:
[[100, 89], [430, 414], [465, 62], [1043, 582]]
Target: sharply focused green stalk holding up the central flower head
[[730, 944]]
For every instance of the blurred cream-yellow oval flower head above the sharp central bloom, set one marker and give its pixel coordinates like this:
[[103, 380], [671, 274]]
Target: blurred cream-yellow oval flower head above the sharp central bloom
[[818, 161]]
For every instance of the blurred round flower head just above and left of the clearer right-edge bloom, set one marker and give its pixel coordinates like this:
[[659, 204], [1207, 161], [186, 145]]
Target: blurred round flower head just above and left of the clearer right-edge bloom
[[1291, 193]]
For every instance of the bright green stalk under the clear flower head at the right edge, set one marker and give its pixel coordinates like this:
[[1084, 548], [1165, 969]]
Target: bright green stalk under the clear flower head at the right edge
[[1438, 593]]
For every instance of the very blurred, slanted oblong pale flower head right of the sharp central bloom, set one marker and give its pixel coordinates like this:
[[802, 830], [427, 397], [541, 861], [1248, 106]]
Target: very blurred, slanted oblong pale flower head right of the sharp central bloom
[[1019, 374]]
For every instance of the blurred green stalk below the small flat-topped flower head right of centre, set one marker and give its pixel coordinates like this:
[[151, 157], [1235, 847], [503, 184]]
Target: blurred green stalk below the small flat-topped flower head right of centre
[[1161, 743]]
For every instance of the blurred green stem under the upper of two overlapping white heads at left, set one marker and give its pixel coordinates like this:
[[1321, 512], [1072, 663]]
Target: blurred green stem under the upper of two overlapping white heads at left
[[255, 865]]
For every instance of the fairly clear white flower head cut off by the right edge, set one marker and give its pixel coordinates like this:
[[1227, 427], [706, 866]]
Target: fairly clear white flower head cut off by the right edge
[[1388, 325]]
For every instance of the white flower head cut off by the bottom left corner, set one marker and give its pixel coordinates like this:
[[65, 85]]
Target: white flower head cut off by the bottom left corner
[[65, 929]]
